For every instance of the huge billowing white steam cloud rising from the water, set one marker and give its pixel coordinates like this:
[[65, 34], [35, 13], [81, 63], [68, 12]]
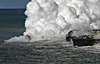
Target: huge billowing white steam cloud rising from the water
[[54, 18]]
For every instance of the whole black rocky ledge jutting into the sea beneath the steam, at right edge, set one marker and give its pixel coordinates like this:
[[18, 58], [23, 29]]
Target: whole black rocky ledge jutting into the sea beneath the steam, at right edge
[[89, 39]]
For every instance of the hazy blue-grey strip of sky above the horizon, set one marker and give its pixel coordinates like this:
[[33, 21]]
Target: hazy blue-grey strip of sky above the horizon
[[13, 3]]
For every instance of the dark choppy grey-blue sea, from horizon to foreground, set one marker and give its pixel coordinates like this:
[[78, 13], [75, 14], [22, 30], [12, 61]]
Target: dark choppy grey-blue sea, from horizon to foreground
[[55, 51]]
